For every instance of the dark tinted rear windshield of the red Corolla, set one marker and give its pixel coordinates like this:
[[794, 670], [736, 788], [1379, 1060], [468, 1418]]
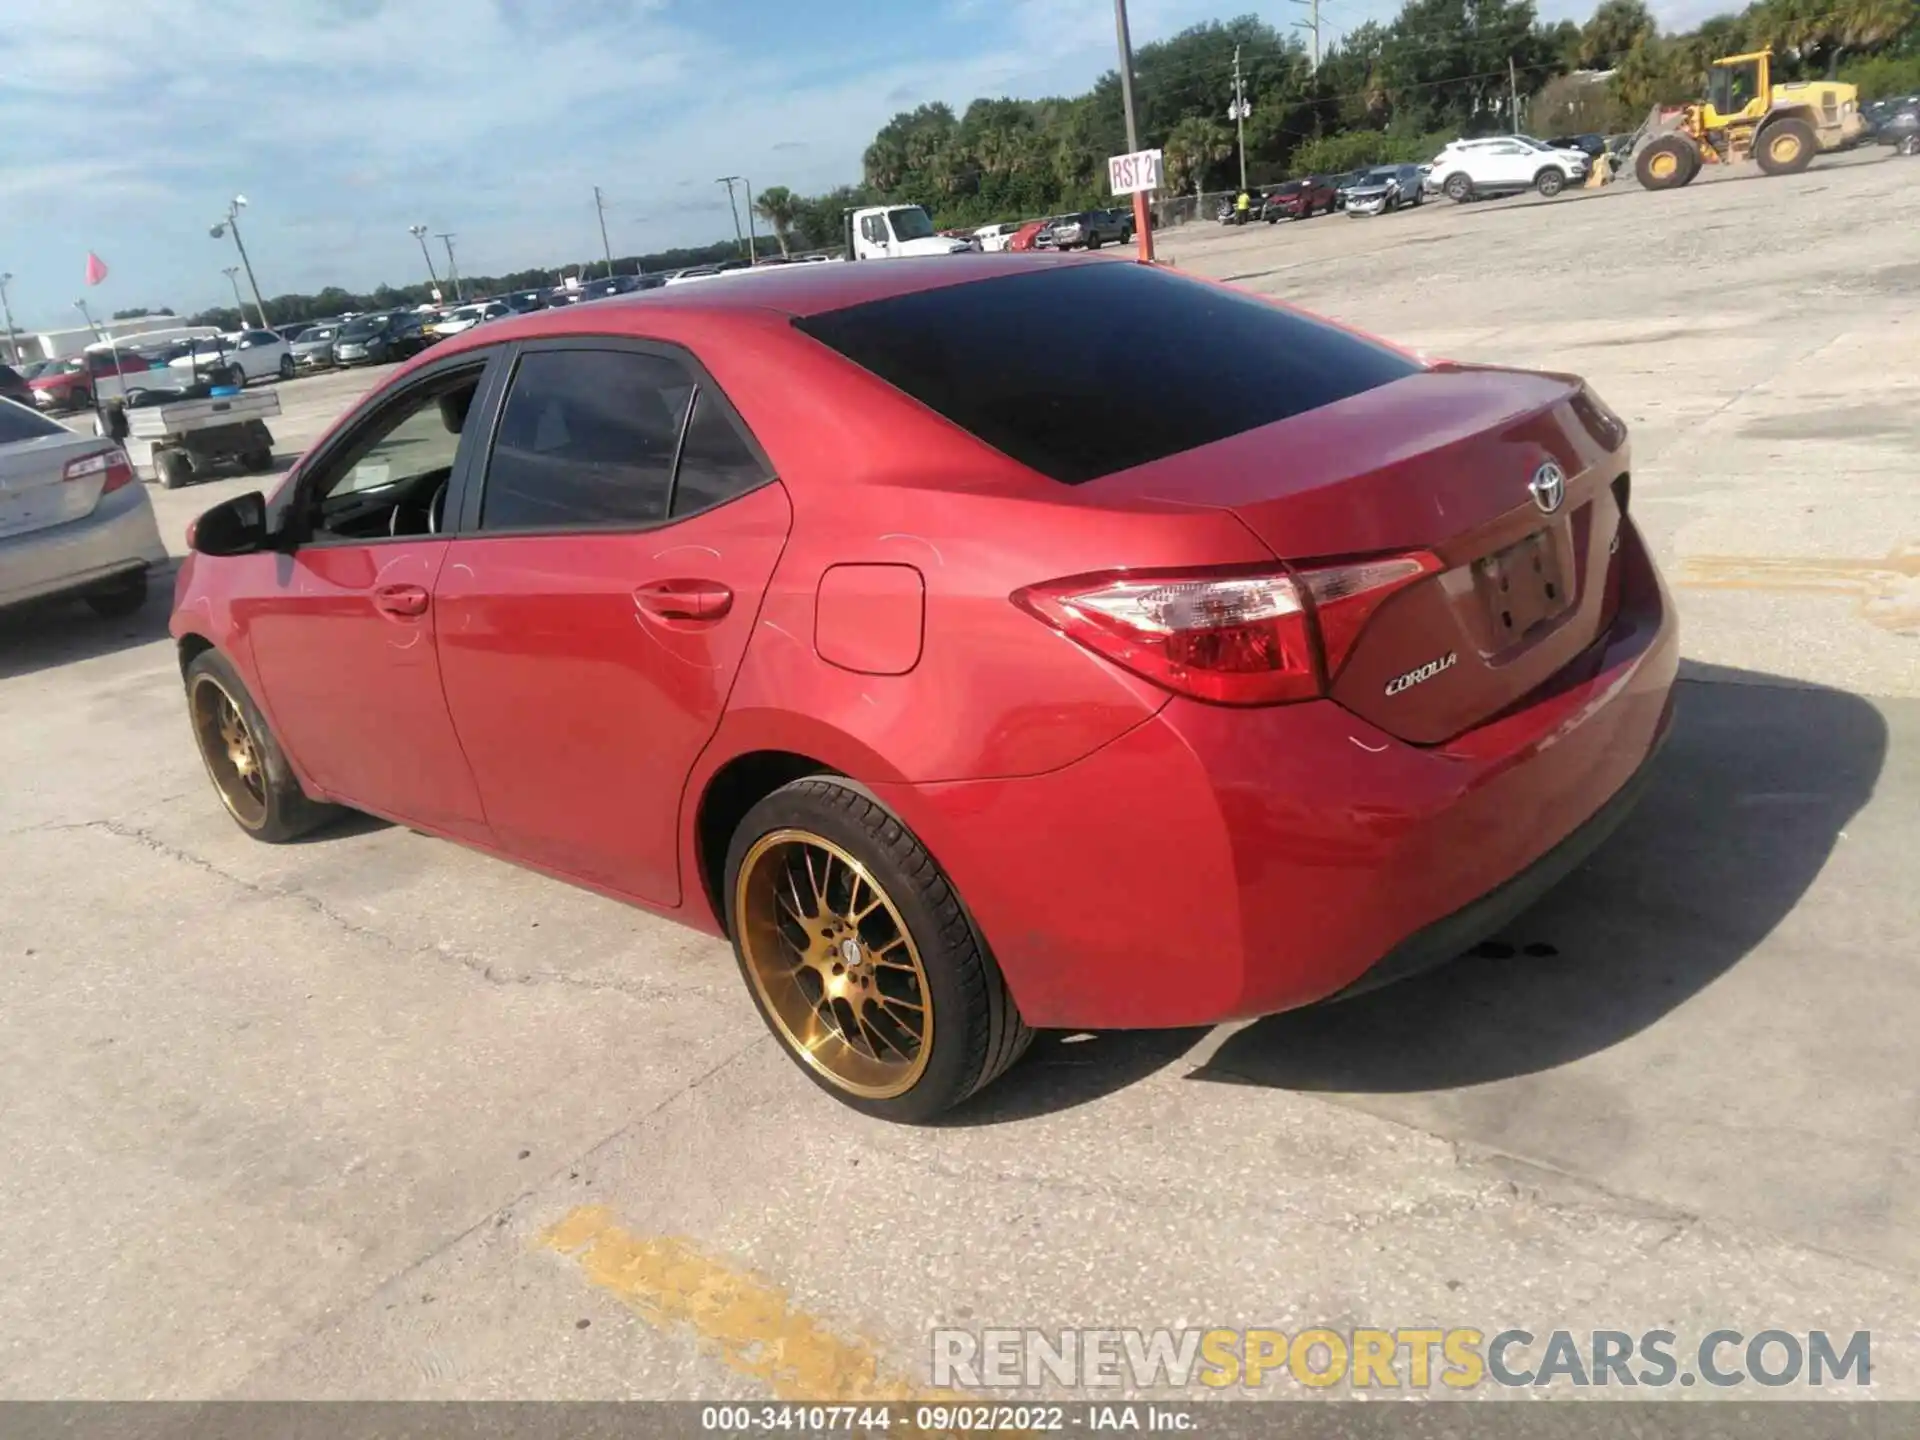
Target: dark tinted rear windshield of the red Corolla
[[1090, 370]]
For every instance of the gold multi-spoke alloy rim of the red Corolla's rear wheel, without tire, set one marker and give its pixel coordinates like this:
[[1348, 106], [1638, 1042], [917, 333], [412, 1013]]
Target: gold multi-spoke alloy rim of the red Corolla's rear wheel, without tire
[[834, 965]]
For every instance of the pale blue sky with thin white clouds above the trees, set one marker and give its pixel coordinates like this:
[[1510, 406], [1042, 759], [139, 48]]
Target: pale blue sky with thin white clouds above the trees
[[130, 124]]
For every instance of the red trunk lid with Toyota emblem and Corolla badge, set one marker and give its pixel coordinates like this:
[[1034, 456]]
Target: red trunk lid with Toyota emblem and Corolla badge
[[1441, 462]]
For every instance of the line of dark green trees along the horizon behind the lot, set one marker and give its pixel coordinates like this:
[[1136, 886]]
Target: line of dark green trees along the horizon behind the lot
[[1383, 93]]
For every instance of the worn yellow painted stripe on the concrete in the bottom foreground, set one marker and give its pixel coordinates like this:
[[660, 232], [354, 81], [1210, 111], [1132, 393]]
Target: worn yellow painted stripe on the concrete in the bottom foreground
[[748, 1322]]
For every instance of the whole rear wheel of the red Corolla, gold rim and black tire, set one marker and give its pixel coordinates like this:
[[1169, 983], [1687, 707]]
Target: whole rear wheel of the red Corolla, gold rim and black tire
[[861, 957]]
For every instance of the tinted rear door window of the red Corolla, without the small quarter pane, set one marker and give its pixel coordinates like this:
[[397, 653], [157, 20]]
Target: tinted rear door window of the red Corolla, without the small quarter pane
[[587, 439]]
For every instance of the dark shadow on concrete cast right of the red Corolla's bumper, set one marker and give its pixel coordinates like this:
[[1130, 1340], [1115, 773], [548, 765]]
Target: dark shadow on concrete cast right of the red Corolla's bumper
[[1752, 792]]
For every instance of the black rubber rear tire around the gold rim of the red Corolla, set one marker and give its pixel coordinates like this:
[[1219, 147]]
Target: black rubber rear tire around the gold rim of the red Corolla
[[976, 1028]]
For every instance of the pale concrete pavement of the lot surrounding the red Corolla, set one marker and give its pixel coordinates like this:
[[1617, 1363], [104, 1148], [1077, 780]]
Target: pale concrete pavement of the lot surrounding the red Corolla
[[379, 1118]]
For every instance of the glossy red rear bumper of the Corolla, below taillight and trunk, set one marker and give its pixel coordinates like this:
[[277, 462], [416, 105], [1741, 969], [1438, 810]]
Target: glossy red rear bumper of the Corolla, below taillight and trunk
[[1216, 865]]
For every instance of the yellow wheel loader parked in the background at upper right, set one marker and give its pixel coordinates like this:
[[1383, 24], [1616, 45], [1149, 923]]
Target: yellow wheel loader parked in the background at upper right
[[1746, 116]]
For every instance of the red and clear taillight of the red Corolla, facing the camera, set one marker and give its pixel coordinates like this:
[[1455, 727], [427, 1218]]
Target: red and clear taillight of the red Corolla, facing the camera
[[1234, 636]]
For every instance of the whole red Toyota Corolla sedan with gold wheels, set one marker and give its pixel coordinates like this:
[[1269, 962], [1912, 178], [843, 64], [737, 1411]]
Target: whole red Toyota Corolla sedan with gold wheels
[[1237, 665]]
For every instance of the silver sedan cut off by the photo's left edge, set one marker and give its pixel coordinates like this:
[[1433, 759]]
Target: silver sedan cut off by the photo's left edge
[[74, 517]]
